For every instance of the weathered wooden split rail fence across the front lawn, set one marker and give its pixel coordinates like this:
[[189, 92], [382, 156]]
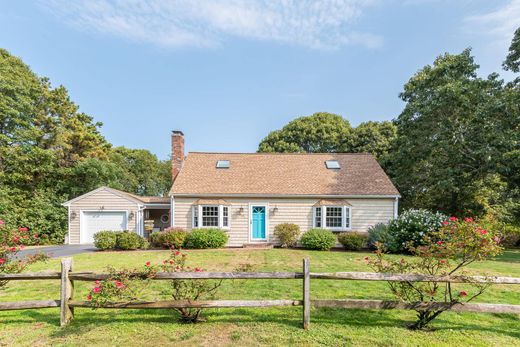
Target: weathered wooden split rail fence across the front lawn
[[67, 302]]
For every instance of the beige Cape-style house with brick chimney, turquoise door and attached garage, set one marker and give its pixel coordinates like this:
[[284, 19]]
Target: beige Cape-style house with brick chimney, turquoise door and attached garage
[[247, 195]]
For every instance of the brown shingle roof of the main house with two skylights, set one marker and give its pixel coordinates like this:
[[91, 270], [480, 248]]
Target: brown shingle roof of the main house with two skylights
[[282, 174]]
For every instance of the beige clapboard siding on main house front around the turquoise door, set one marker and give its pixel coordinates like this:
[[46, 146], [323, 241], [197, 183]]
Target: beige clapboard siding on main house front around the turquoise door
[[365, 213]]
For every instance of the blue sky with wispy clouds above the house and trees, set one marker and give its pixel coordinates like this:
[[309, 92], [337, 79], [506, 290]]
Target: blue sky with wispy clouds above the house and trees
[[228, 72]]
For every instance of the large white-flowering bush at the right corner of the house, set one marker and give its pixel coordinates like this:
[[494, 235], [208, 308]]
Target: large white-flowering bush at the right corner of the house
[[411, 227]]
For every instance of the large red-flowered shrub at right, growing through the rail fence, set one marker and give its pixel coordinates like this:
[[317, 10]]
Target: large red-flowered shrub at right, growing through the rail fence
[[442, 253]]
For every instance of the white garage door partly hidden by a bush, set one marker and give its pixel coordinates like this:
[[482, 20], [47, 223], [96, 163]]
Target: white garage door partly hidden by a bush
[[92, 222]]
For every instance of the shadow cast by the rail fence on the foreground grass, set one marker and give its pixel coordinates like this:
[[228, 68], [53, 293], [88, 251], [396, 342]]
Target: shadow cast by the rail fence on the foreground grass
[[86, 321]]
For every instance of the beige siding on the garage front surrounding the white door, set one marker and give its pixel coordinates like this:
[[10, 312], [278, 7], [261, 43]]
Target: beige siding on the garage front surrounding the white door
[[103, 200]]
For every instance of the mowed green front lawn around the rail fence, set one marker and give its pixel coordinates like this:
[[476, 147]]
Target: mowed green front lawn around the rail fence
[[256, 326]]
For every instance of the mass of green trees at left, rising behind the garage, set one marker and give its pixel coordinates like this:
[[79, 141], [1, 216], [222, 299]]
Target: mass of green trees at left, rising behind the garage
[[51, 152]]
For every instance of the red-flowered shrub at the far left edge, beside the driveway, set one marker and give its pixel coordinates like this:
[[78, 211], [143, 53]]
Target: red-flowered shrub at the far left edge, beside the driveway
[[9, 262]]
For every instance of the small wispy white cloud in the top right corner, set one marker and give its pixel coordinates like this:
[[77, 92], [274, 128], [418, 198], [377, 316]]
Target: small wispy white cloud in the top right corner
[[500, 22]]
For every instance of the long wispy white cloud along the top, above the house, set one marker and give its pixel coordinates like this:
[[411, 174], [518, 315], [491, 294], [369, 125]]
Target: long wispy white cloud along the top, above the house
[[319, 24]]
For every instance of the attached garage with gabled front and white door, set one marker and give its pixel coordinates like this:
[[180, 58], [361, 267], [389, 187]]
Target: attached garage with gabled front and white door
[[103, 209]]
